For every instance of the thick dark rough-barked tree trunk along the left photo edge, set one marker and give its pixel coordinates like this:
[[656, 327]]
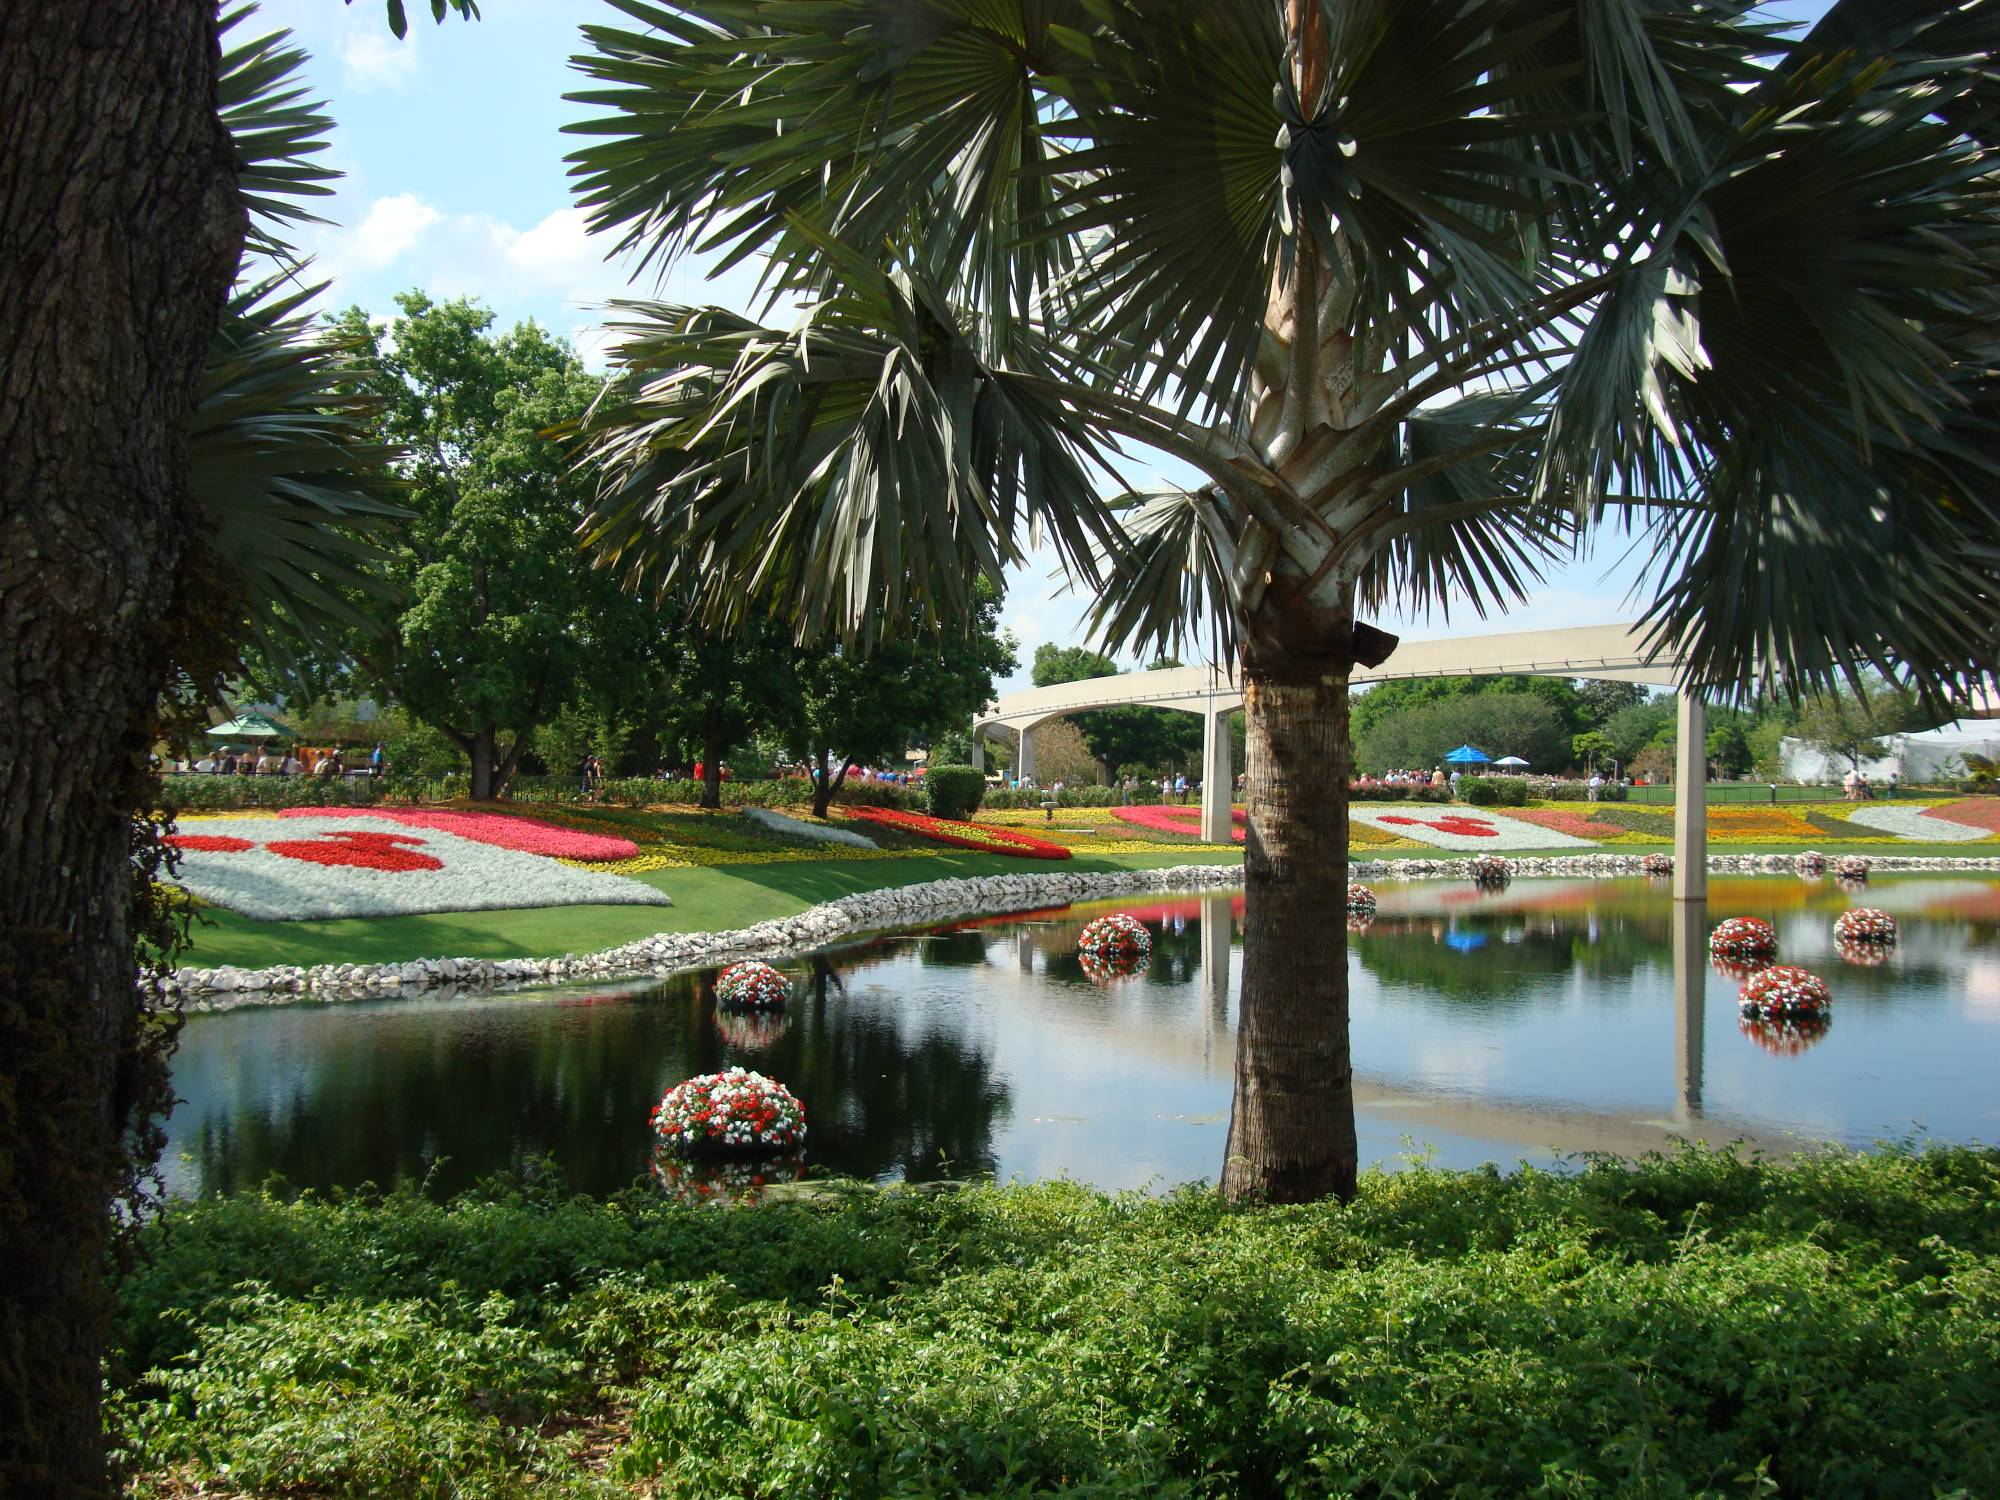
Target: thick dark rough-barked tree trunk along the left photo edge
[[119, 235]]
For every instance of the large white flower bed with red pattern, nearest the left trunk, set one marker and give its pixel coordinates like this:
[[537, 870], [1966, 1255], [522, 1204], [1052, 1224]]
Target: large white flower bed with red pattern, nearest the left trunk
[[297, 869]]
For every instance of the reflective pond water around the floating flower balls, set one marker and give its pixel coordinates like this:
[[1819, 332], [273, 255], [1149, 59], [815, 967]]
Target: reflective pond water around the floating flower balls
[[1521, 1025]]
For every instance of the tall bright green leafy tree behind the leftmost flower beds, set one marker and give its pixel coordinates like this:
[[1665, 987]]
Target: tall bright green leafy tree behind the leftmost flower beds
[[489, 617]]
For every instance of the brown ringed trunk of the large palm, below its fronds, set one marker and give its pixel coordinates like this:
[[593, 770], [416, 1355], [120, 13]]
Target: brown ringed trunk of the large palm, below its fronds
[[1293, 1119]]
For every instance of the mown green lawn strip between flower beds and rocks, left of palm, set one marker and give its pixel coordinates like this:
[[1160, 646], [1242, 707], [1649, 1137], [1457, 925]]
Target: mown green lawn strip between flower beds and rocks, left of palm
[[711, 899]]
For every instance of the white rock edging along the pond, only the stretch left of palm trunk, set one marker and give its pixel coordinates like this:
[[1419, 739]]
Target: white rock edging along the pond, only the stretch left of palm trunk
[[667, 953]]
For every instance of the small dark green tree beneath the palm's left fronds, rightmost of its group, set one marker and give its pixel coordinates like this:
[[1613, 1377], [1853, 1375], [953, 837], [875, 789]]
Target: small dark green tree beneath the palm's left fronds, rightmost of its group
[[873, 707]]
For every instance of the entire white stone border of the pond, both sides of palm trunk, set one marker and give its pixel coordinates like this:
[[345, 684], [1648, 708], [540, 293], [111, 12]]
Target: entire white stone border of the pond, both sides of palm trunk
[[871, 911]]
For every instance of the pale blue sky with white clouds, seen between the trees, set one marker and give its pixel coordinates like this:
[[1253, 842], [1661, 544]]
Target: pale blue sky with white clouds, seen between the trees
[[453, 153]]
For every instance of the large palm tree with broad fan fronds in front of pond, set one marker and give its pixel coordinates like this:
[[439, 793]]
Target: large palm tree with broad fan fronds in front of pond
[[1423, 291]]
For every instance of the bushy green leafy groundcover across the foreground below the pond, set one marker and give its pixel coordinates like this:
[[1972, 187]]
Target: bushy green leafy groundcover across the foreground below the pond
[[1689, 1325]]
